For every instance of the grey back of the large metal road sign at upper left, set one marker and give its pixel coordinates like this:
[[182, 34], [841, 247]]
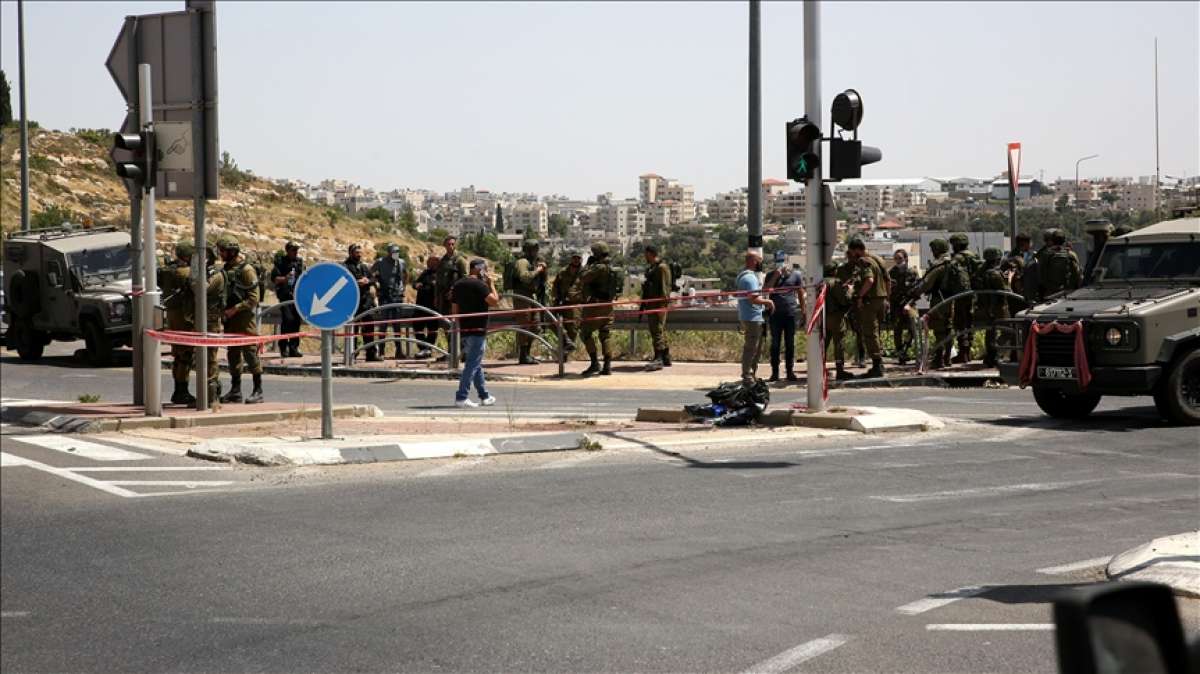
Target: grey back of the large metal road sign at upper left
[[167, 43]]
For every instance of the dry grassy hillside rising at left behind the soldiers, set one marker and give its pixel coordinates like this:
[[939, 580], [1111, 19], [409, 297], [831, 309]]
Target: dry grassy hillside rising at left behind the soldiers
[[73, 172]]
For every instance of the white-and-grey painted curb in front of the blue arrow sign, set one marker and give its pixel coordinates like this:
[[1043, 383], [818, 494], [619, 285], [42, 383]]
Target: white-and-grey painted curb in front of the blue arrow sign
[[368, 450]]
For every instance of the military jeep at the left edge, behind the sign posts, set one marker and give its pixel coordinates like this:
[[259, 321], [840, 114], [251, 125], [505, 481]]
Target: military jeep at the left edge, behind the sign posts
[[67, 284]]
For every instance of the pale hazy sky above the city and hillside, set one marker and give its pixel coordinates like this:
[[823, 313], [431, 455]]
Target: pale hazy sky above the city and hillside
[[580, 99]]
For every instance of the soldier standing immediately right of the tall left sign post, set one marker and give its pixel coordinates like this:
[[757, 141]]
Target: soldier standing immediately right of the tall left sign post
[[242, 299]]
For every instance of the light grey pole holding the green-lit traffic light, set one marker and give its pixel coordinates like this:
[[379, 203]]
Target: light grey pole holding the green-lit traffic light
[[813, 207]]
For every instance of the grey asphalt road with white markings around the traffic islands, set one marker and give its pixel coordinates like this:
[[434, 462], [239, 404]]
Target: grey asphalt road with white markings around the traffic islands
[[929, 553]]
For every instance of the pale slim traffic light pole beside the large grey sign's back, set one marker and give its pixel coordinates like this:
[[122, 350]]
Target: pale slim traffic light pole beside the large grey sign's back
[[152, 356]]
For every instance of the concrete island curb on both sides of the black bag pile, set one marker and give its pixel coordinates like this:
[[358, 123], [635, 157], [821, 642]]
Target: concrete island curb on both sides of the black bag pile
[[862, 420]]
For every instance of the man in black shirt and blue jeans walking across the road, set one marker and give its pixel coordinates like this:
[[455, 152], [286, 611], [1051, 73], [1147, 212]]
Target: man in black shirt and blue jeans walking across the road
[[472, 294]]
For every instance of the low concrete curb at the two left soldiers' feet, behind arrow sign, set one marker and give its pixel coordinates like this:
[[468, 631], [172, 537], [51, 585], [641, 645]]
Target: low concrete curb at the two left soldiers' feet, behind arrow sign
[[75, 424]]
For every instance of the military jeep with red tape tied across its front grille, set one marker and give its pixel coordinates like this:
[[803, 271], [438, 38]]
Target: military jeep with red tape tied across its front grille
[[1139, 317]]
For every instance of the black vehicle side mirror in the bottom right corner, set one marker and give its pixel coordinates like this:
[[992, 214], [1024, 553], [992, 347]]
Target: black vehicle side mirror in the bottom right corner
[[1120, 628]]
